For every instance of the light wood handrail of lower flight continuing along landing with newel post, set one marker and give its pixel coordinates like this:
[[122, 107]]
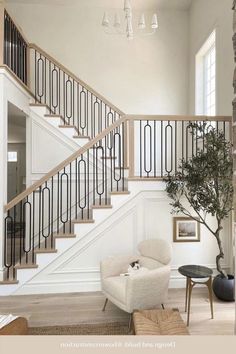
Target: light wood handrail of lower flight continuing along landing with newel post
[[100, 136]]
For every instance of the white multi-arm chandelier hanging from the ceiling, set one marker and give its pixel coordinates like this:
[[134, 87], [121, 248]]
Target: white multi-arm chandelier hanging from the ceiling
[[116, 27]]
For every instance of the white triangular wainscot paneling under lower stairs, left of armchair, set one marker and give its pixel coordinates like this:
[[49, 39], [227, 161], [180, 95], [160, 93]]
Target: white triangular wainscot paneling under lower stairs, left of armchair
[[78, 269]]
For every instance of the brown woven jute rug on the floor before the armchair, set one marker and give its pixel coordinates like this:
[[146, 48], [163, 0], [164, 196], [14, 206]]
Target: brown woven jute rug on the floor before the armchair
[[104, 329]]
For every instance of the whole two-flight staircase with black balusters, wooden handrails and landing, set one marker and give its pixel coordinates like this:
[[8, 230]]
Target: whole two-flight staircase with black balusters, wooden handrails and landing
[[76, 196]]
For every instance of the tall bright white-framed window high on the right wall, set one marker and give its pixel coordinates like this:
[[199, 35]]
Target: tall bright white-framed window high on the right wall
[[206, 78]]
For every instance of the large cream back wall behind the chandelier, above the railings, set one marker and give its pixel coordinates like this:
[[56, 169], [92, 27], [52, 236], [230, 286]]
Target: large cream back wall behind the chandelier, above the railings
[[147, 75]]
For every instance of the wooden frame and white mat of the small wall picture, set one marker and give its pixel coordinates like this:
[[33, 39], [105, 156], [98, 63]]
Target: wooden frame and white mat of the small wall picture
[[176, 238]]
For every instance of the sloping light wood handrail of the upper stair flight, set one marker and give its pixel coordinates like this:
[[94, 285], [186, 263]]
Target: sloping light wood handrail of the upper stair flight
[[76, 78]]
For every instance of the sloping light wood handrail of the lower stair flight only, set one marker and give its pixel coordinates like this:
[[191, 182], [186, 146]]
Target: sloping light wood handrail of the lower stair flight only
[[63, 164]]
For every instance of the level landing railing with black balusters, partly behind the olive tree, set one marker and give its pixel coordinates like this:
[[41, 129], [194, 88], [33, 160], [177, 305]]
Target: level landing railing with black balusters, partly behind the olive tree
[[158, 143]]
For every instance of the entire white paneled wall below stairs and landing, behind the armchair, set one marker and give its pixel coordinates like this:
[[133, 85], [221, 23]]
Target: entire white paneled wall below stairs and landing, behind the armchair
[[145, 215]]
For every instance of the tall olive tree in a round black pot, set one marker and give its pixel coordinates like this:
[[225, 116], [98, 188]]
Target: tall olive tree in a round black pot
[[205, 183]]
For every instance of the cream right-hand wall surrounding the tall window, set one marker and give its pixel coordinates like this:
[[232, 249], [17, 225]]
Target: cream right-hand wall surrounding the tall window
[[204, 17]]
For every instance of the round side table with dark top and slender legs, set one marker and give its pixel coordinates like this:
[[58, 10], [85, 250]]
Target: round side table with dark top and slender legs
[[196, 272]]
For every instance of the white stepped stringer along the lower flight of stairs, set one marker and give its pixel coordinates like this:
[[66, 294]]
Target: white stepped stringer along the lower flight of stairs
[[83, 234]]
